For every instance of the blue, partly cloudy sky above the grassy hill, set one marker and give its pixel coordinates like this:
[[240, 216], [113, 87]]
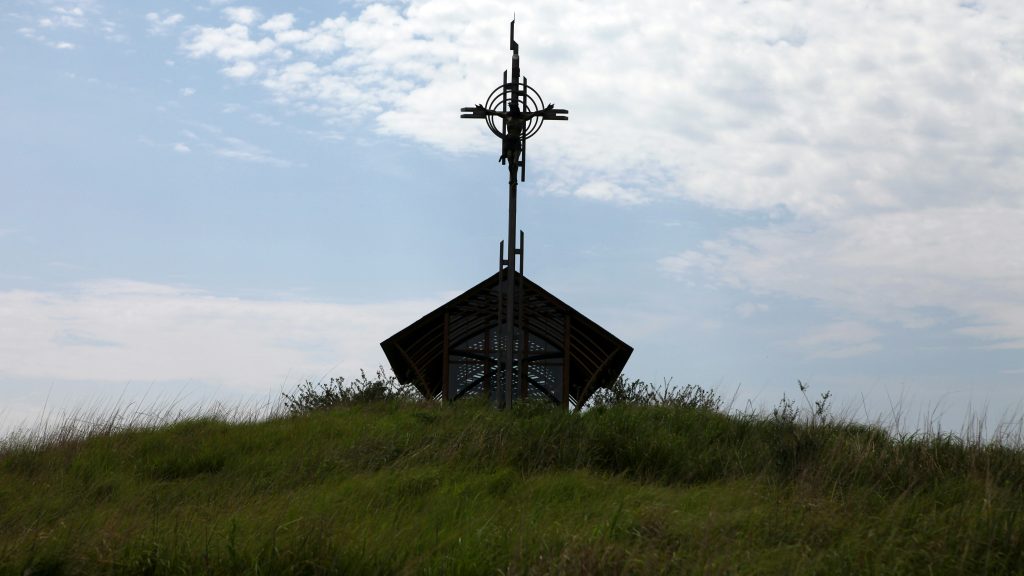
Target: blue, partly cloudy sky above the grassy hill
[[220, 200]]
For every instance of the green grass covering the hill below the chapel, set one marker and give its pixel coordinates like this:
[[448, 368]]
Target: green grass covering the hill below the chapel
[[408, 488]]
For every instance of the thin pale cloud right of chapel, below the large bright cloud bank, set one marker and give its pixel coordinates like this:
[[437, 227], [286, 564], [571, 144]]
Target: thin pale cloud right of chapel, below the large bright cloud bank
[[910, 268]]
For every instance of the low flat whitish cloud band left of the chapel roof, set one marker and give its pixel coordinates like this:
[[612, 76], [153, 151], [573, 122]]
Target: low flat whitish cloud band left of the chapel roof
[[123, 332]]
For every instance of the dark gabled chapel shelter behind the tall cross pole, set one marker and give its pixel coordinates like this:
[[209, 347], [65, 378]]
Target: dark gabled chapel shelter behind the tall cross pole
[[456, 350]]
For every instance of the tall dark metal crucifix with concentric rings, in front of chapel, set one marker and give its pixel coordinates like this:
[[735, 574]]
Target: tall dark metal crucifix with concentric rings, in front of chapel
[[522, 112]]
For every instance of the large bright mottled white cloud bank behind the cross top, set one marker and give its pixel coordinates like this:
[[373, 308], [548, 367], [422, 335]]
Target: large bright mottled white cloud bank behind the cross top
[[824, 110]]
